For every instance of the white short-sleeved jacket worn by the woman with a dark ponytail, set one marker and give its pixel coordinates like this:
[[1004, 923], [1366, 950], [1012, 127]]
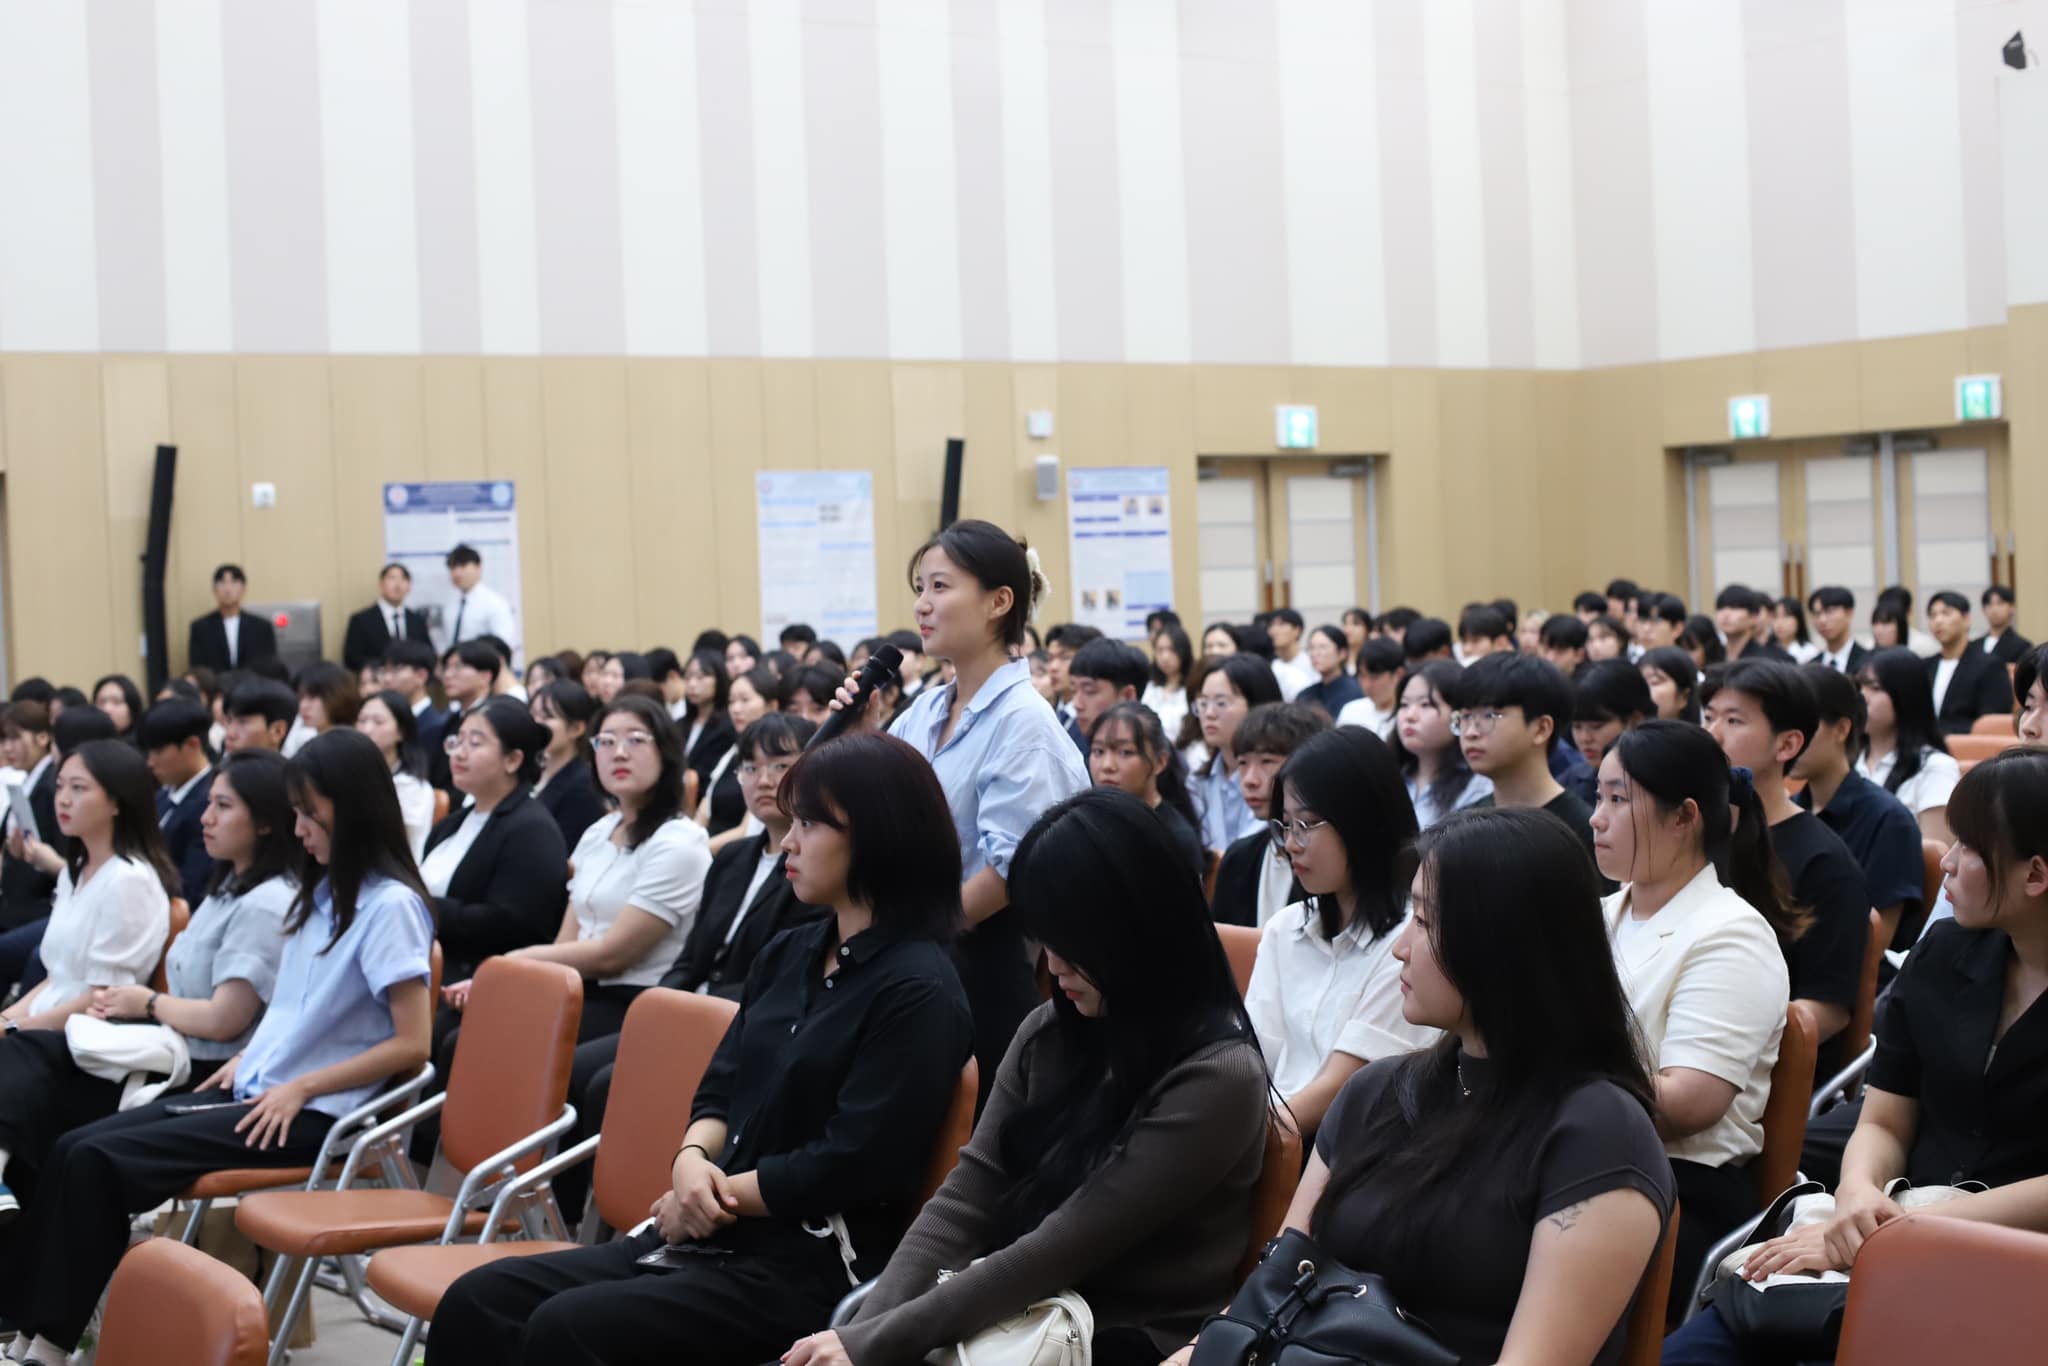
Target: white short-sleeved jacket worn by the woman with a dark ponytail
[[1711, 992]]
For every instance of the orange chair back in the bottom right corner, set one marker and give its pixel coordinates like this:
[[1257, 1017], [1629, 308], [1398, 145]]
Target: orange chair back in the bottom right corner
[[1930, 1289]]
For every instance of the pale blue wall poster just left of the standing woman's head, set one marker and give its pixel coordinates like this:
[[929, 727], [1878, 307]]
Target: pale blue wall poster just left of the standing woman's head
[[818, 552]]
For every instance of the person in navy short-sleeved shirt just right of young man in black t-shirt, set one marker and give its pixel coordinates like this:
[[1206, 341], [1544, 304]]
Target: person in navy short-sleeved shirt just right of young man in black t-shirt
[[1873, 824]]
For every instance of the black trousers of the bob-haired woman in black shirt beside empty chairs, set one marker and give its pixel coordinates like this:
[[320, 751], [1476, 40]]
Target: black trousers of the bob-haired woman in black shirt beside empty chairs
[[742, 1301]]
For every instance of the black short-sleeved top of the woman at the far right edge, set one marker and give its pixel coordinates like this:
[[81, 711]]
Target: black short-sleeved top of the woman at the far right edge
[[1983, 1107]]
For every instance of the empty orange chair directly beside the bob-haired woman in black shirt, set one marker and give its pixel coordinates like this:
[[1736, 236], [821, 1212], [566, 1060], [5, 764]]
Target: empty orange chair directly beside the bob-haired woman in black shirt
[[663, 1054]]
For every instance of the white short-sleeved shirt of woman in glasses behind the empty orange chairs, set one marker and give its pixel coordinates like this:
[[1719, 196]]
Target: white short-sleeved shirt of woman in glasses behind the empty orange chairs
[[663, 878]]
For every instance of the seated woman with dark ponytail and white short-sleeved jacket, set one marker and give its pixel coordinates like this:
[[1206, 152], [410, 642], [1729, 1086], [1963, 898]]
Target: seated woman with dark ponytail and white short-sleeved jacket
[[1697, 937]]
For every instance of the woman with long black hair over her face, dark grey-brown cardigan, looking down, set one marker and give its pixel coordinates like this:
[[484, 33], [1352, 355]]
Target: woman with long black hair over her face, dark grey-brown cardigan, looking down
[[1125, 1136]]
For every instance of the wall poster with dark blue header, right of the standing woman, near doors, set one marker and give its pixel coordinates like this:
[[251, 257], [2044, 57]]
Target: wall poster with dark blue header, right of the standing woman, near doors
[[1121, 540]]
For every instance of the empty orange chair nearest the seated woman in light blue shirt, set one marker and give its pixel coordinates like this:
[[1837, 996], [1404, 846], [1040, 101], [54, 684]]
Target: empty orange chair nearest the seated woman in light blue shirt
[[505, 1105]]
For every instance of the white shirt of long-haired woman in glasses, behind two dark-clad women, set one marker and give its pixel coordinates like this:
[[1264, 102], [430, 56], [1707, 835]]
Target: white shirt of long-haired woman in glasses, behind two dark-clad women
[[1312, 998]]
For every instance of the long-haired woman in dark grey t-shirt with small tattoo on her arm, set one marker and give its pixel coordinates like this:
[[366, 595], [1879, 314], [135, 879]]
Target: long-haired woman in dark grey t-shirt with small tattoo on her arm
[[1508, 1183]]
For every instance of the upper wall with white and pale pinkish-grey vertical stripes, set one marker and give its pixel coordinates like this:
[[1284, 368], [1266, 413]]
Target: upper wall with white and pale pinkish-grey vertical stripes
[[1433, 183]]
